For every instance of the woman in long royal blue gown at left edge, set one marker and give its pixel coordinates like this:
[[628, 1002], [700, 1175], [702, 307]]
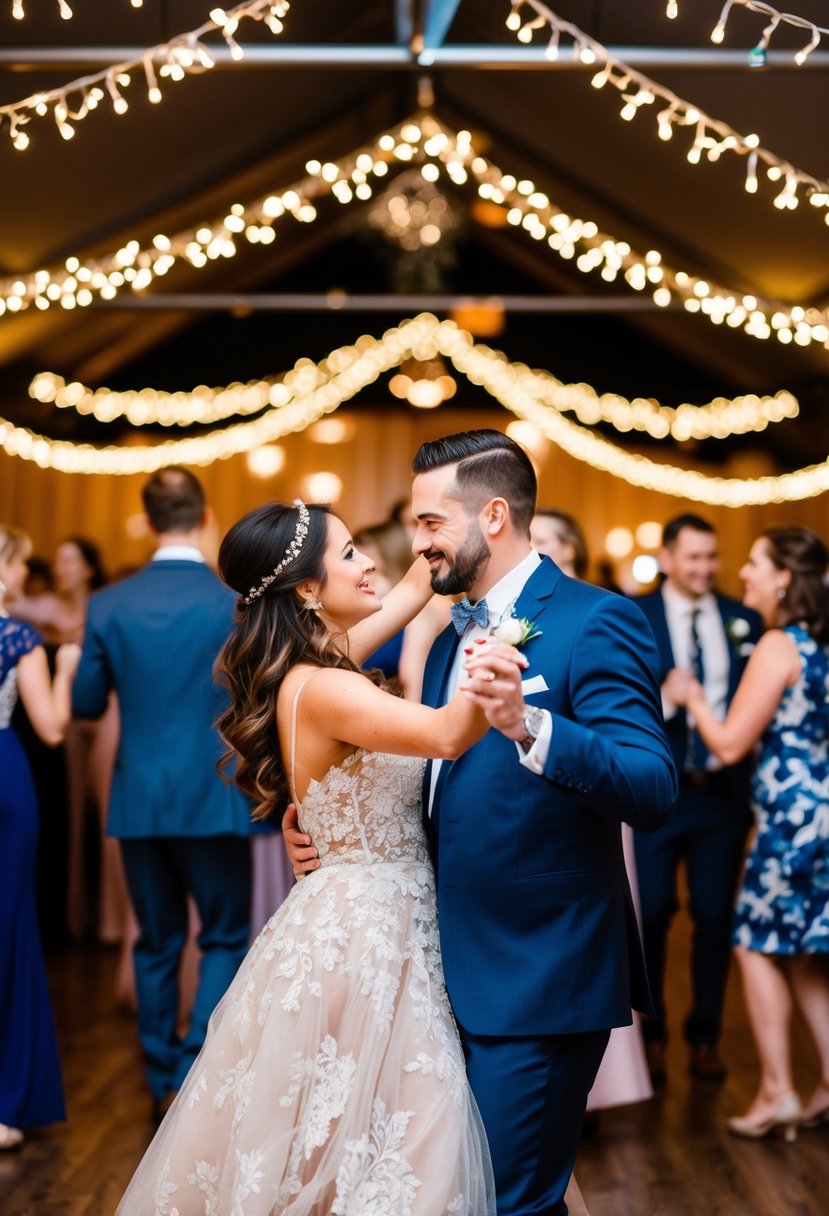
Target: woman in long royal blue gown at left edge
[[31, 1089]]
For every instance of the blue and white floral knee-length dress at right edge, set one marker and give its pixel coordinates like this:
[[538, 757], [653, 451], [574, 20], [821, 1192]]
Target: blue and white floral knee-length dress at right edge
[[783, 905]]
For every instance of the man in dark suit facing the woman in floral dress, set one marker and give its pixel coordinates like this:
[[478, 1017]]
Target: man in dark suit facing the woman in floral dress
[[702, 632]]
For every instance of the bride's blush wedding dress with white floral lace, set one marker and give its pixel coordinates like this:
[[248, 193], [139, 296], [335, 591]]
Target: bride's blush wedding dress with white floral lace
[[332, 1082]]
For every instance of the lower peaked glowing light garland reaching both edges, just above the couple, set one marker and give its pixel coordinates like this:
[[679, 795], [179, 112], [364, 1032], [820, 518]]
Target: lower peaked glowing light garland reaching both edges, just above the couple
[[351, 369]]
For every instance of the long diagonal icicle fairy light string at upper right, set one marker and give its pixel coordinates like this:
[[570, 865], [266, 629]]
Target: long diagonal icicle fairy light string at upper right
[[712, 138]]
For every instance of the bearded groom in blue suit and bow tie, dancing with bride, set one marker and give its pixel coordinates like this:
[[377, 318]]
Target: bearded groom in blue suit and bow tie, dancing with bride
[[539, 938]]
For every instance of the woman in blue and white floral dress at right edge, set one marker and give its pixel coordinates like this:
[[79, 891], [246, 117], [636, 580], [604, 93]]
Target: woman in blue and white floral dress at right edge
[[782, 920]]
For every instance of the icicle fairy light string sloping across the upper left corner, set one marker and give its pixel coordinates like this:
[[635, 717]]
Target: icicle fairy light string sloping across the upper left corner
[[184, 55]]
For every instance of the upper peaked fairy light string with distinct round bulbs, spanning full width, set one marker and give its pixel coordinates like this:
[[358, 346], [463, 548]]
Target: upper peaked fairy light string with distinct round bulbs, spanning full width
[[422, 140]]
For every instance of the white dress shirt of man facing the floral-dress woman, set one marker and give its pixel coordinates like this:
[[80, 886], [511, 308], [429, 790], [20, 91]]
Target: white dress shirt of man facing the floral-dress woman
[[713, 641]]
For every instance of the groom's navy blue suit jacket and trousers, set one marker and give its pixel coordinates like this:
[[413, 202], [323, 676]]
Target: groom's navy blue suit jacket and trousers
[[539, 938]]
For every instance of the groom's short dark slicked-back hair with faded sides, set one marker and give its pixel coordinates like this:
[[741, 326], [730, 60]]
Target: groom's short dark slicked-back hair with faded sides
[[489, 465]]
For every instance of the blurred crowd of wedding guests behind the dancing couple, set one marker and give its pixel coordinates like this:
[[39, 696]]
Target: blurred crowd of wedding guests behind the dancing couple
[[746, 696]]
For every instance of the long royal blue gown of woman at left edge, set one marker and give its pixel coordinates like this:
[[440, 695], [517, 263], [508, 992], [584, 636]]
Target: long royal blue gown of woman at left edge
[[31, 1089]]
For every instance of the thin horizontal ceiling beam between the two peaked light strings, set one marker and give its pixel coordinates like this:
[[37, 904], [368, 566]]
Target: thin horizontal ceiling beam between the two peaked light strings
[[346, 302]]
